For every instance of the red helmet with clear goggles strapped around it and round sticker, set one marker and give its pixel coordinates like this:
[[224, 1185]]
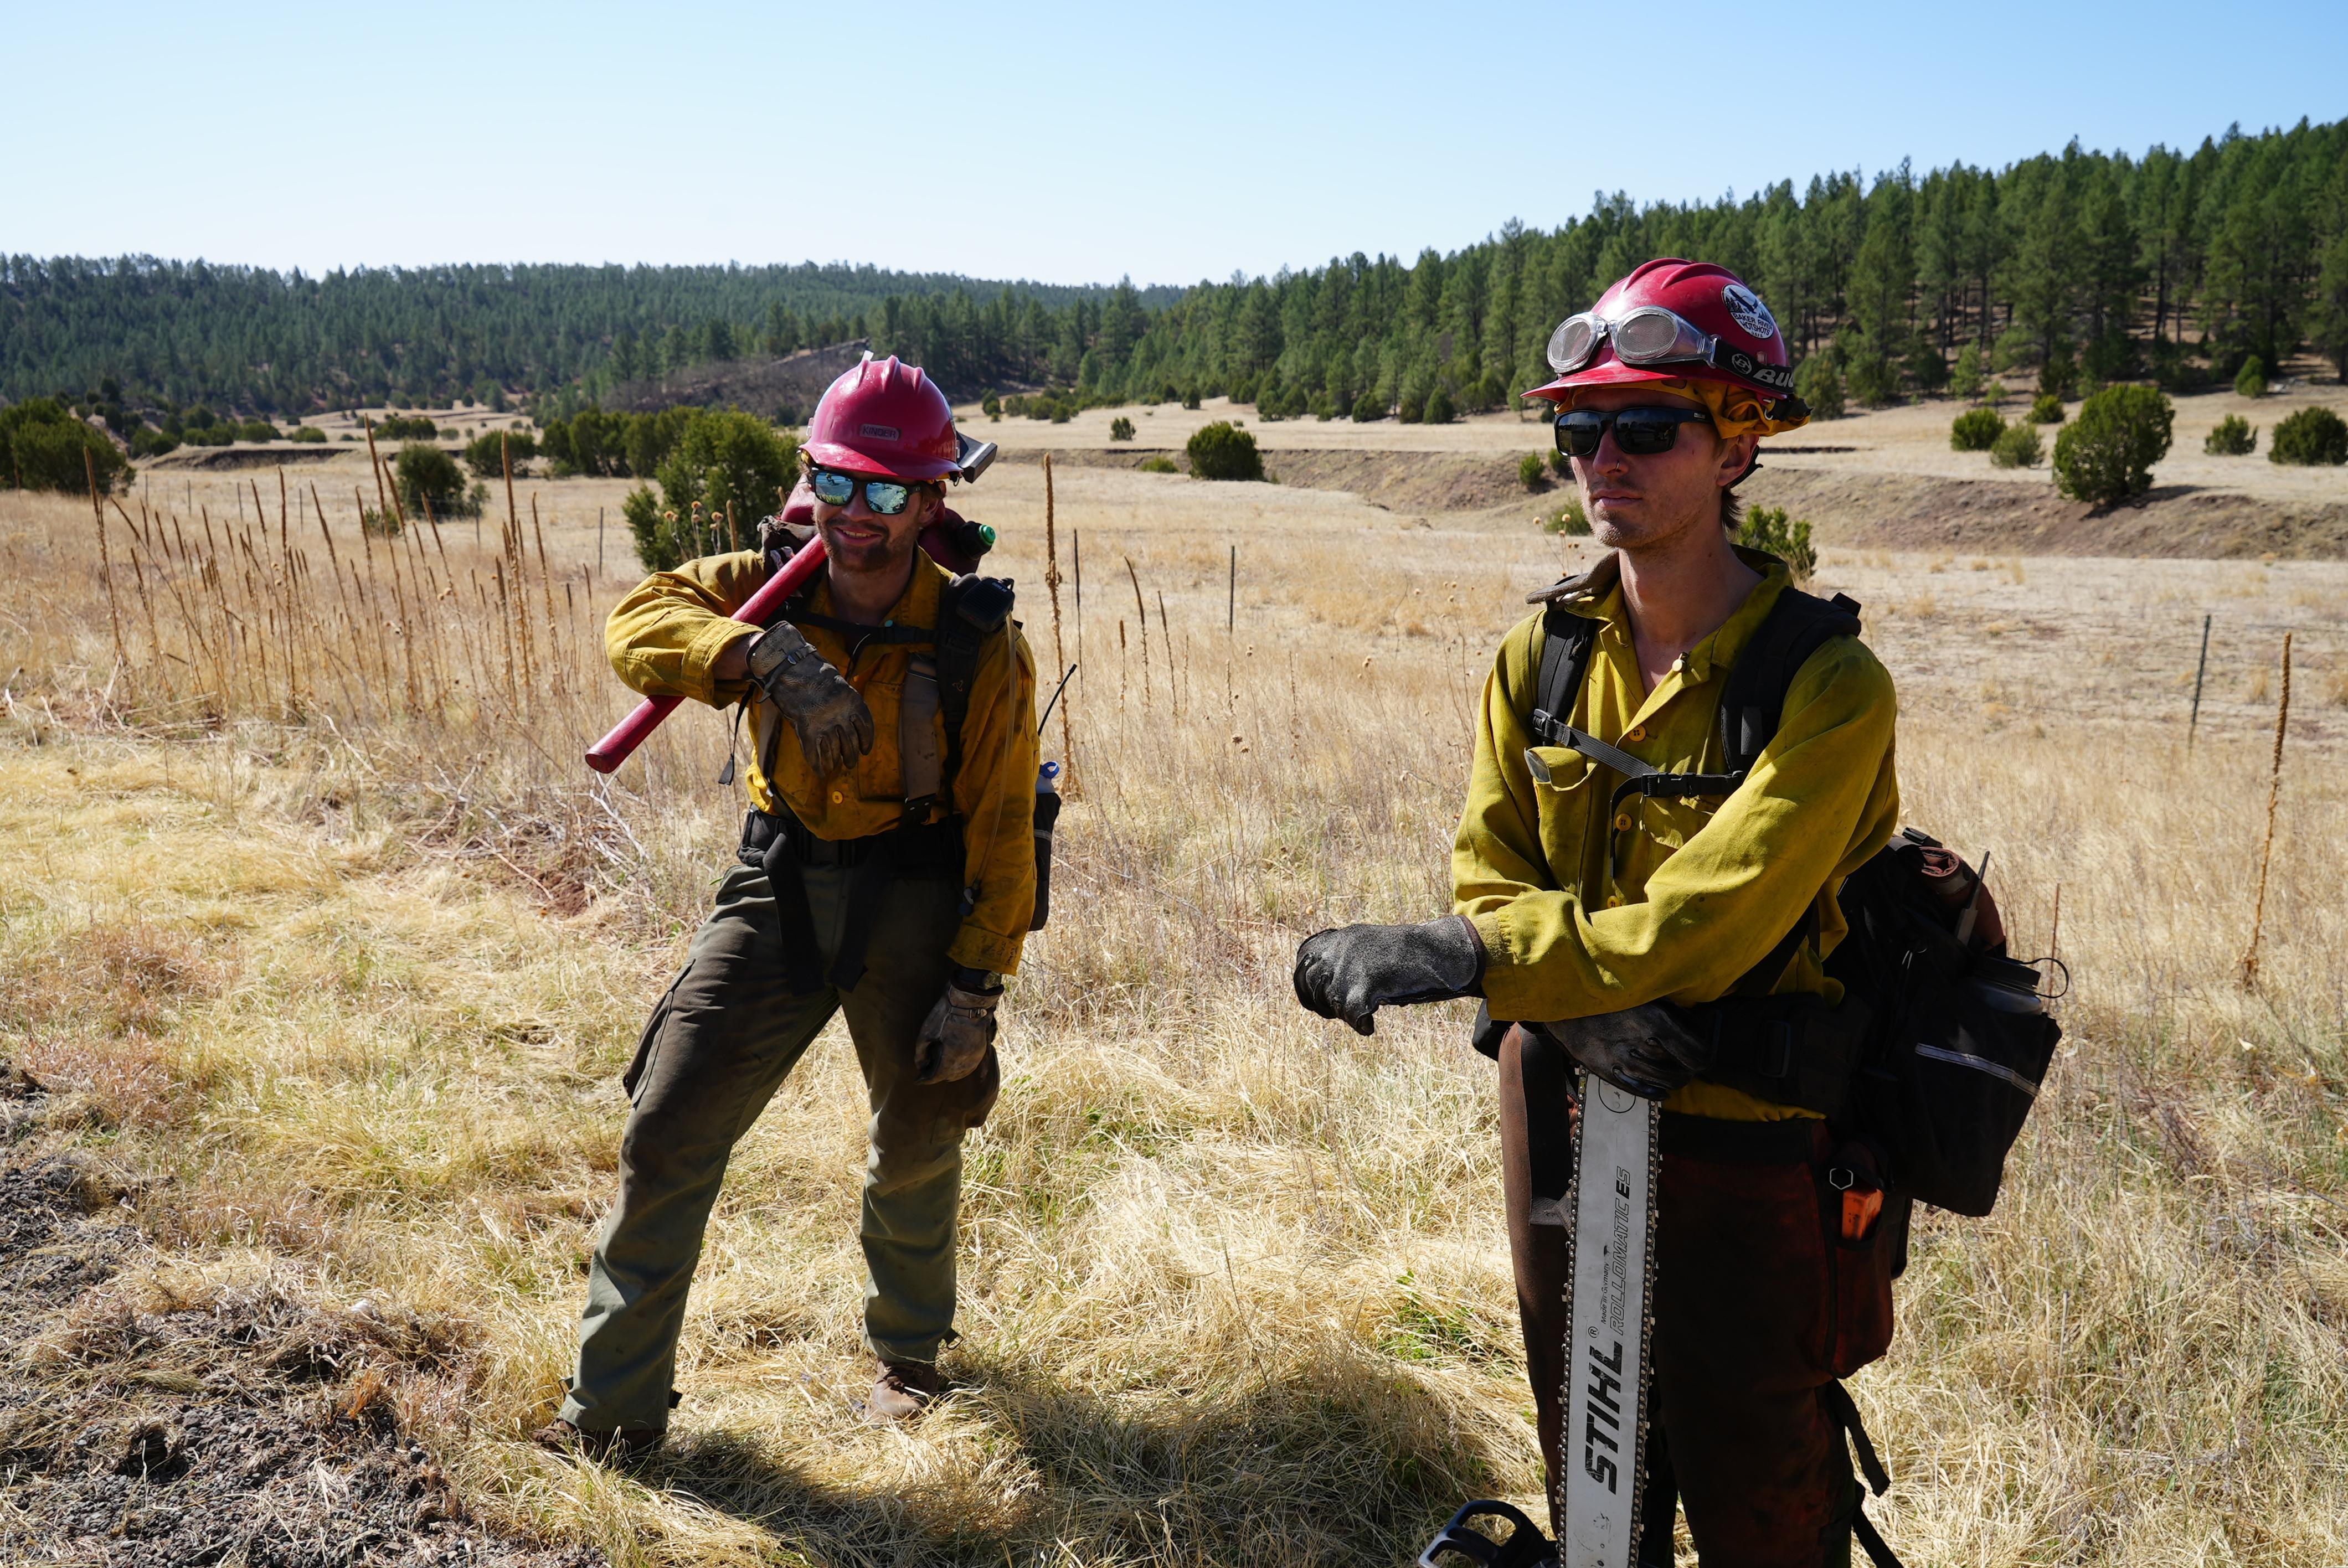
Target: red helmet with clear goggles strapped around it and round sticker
[[1675, 320]]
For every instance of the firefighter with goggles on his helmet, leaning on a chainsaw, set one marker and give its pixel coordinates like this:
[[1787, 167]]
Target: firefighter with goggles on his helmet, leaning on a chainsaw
[[1617, 877]]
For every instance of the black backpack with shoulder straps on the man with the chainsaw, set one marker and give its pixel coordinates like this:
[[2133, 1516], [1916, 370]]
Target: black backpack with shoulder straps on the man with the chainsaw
[[1938, 1048]]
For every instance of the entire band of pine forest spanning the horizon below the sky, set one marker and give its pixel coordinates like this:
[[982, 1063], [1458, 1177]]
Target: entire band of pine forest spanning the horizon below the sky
[[2072, 266]]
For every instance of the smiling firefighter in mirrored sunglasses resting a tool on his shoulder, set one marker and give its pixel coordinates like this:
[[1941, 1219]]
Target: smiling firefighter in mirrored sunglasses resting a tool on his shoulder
[[886, 872]]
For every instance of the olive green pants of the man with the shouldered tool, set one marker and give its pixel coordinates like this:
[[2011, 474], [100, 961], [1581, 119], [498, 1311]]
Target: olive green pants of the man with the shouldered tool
[[717, 1048]]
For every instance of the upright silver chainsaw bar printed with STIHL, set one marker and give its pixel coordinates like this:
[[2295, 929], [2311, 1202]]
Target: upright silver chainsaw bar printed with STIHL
[[1612, 1236]]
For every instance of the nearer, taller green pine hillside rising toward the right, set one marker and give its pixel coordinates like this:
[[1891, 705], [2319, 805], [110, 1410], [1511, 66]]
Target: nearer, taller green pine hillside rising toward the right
[[2077, 266]]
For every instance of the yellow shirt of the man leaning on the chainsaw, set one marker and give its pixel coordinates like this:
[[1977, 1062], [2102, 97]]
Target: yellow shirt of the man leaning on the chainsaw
[[1588, 910]]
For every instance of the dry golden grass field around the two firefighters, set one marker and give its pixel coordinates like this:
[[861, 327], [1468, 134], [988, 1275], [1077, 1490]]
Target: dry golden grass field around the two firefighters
[[339, 989]]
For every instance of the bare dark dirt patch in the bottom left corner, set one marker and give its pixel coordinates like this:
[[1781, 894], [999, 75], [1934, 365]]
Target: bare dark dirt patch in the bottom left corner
[[144, 1428]]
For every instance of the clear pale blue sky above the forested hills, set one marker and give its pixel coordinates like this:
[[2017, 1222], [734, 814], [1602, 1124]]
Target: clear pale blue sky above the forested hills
[[1051, 142]]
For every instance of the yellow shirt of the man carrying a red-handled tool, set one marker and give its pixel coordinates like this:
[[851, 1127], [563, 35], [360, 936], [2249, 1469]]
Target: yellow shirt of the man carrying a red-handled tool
[[668, 633]]
